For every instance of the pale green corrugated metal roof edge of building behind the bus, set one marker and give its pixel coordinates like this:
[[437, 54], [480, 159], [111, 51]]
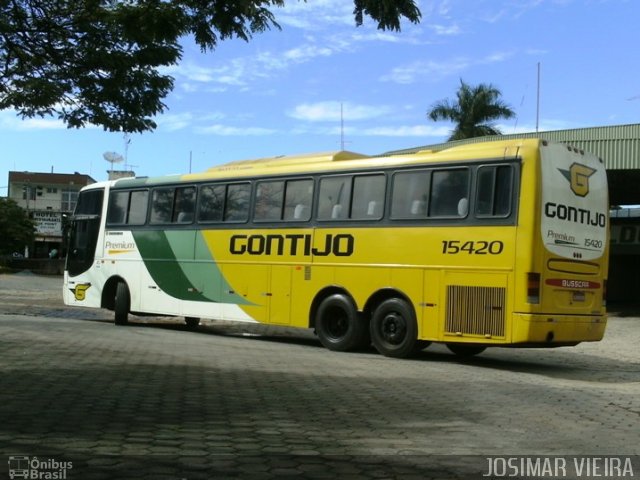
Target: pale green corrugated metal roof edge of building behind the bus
[[617, 145]]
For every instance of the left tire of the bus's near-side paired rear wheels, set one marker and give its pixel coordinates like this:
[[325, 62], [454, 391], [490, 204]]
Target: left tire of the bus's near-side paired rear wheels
[[338, 324]]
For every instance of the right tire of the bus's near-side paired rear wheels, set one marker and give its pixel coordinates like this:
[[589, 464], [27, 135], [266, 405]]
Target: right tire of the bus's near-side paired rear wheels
[[394, 330]]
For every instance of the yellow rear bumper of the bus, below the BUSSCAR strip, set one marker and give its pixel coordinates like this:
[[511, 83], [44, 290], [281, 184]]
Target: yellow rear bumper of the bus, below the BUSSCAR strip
[[557, 330]]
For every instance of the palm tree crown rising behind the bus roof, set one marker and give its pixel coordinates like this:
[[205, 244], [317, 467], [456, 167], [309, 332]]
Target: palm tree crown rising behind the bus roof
[[475, 109]]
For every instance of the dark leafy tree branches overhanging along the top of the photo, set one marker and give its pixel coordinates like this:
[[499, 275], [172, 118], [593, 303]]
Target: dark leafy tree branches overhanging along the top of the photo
[[97, 61]]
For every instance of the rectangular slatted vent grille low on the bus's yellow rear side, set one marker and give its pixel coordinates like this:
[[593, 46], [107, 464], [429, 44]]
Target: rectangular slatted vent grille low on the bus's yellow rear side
[[475, 311]]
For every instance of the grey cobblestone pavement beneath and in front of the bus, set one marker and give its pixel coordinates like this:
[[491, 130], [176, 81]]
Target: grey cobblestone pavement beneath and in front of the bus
[[156, 400]]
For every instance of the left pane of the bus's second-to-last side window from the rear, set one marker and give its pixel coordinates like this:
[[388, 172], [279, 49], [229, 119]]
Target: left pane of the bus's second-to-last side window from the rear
[[410, 194]]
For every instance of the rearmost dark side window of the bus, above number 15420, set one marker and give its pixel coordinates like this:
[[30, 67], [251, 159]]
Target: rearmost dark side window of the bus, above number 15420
[[494, 188]]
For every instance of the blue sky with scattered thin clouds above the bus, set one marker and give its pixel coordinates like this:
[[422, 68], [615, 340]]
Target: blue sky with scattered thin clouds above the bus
[[281, 93]]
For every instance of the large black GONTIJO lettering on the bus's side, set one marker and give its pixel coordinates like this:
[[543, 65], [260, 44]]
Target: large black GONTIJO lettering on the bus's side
[[340, 245]]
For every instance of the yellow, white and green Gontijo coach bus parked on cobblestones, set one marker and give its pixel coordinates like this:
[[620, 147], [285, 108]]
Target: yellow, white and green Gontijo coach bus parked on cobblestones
[[502, 243]]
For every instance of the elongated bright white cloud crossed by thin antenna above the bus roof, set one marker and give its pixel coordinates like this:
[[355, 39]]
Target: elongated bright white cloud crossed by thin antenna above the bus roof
[[329, 111]]
